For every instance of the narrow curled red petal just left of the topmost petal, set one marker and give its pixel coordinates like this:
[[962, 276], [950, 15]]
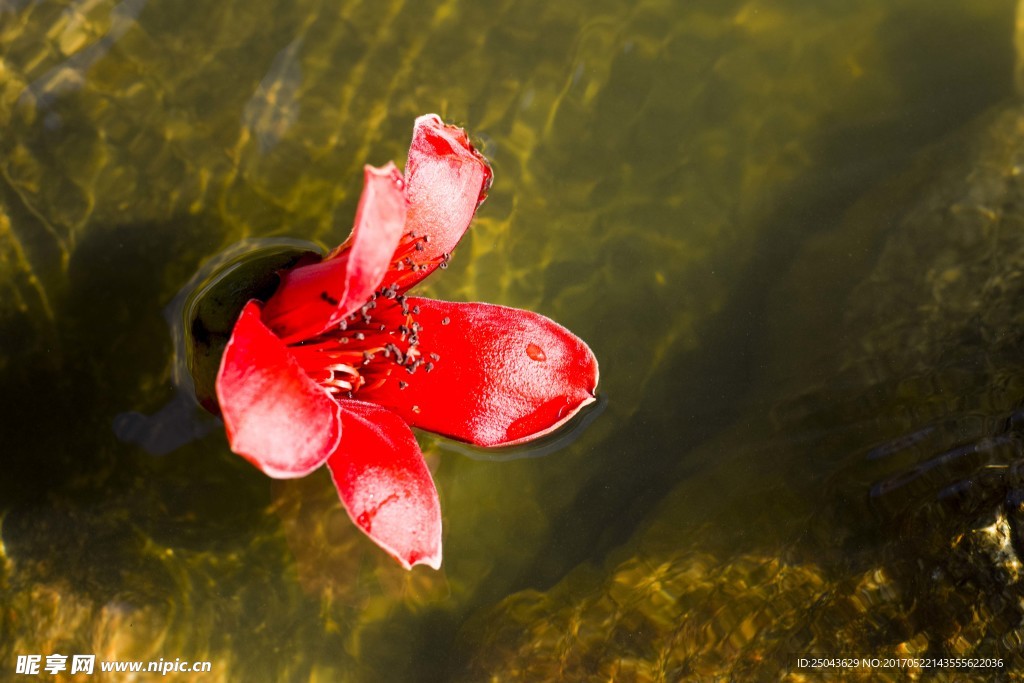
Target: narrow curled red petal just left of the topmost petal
[[316, 297]]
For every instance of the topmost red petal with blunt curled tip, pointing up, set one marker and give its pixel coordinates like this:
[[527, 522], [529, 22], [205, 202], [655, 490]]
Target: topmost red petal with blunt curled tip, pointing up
[[446, 181]]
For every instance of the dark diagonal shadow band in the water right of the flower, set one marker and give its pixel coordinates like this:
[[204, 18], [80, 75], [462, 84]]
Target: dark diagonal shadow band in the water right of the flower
[[677, 414]]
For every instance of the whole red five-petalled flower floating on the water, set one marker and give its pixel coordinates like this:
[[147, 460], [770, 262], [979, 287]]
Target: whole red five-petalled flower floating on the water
[[339, 363]]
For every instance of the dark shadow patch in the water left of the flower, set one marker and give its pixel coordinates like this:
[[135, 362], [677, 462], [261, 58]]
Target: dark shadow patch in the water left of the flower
[[76, 503]]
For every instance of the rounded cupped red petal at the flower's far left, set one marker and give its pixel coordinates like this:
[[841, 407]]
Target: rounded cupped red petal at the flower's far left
[[276, 417]]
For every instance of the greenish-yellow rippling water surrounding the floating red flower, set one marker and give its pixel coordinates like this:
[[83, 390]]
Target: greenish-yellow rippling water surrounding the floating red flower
[[682, 185]]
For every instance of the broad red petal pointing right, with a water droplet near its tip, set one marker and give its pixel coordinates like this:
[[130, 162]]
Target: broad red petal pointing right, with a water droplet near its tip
[[499, 376]]
